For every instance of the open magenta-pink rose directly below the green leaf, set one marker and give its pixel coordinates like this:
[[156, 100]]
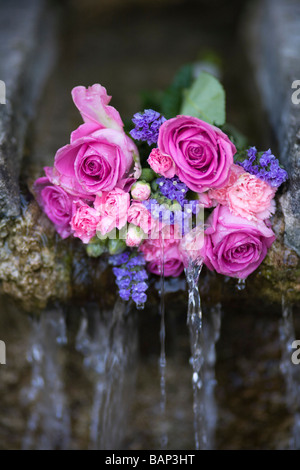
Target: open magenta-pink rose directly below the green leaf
[[202, 153]]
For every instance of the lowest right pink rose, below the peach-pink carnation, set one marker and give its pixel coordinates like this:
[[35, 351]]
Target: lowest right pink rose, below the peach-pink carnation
[[235, 246]]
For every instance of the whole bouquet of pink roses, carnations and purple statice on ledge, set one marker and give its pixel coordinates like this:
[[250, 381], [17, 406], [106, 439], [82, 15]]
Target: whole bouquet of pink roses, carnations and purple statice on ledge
[[195, 195]]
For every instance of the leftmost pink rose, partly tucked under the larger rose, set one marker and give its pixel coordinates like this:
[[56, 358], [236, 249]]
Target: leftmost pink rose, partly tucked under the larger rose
[[56, 204]]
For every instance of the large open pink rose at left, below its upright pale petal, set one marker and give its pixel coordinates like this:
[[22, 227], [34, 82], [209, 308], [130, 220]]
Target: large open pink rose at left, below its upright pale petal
[[97, 162]]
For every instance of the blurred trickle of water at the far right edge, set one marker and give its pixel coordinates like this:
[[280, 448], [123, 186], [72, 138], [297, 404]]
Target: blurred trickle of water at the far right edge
[[290, 371]]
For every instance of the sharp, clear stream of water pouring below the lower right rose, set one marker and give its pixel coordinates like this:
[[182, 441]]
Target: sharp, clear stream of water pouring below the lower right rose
[[194, 321]]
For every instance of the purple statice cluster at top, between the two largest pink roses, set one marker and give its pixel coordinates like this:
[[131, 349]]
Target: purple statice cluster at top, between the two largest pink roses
[[147, 126]]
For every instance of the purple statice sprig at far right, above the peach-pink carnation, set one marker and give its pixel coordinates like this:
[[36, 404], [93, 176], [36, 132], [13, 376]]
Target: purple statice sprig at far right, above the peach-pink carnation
[[265, 166]]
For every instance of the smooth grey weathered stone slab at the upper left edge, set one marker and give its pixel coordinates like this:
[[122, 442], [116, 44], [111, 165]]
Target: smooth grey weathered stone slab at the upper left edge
[[27, 50]]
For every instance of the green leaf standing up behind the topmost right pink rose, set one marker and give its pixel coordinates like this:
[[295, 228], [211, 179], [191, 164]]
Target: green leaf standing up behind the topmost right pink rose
[[205, 100]]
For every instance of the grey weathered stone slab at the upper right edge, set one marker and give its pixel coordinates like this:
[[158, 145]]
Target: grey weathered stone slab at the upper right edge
[[274, 44]]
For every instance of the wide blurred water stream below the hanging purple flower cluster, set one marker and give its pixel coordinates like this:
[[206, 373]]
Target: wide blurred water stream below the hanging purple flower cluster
[[107, 341]]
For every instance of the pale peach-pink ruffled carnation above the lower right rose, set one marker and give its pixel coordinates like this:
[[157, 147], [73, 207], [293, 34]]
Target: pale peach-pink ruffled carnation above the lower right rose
[[251, 198]]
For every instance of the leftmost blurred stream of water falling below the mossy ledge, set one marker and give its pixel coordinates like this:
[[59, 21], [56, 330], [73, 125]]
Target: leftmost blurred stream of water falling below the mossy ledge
[[48, 426]]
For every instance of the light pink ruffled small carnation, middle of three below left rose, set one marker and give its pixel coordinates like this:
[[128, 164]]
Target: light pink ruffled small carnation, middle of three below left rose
[[112, 207]]
